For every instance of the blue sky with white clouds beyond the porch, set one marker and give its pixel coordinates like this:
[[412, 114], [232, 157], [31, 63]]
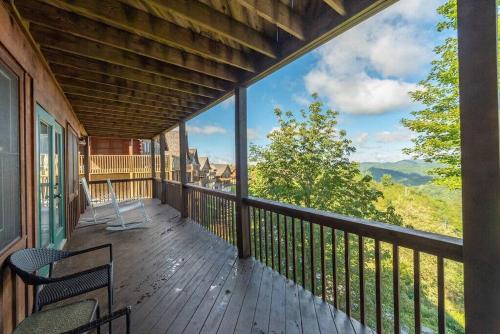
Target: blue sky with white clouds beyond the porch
[[365, 74]]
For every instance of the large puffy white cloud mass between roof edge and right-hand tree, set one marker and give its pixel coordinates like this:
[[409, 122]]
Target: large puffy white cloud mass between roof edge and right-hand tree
[[371, 68]]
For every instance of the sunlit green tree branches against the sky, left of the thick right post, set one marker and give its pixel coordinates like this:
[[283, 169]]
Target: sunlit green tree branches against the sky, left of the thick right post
[[438, 124]]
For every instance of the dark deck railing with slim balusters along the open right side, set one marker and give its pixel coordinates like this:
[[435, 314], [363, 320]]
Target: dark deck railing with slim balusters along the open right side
[[336, 257]]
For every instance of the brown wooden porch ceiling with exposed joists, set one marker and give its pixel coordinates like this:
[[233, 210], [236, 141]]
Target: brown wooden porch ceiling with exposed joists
[[132, 68]]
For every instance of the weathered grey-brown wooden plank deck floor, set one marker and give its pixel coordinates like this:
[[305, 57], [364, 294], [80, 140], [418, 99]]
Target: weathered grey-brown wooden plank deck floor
[[179, 278]]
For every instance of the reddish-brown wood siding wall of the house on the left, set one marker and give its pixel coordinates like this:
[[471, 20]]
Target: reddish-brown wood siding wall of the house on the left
[[37, 86]]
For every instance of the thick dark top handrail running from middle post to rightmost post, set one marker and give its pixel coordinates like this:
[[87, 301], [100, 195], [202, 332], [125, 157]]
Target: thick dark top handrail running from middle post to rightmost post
[[435, 244]]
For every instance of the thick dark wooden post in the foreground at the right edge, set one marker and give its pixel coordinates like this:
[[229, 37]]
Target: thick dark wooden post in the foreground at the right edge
[[478, 59]]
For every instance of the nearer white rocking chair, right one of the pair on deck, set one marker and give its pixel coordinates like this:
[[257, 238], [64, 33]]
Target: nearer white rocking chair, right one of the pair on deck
[[123, 207]]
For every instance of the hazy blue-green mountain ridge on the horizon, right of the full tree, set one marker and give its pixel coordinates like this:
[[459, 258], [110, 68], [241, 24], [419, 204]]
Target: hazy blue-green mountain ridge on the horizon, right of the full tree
[[407, 172]]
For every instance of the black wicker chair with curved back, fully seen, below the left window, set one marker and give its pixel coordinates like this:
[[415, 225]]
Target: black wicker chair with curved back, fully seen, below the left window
[[27, 262]]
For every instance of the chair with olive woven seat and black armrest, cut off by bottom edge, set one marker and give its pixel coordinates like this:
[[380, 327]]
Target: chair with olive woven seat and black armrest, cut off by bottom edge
[[79, 317]]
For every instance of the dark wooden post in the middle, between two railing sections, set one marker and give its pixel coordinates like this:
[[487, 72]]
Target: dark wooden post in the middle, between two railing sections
[[242, 223]]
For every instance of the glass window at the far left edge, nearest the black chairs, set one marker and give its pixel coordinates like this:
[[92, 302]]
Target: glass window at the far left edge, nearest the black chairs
[[10, 226]]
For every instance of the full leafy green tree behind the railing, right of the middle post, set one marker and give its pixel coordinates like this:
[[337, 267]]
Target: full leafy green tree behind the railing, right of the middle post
[[307, 164]]
